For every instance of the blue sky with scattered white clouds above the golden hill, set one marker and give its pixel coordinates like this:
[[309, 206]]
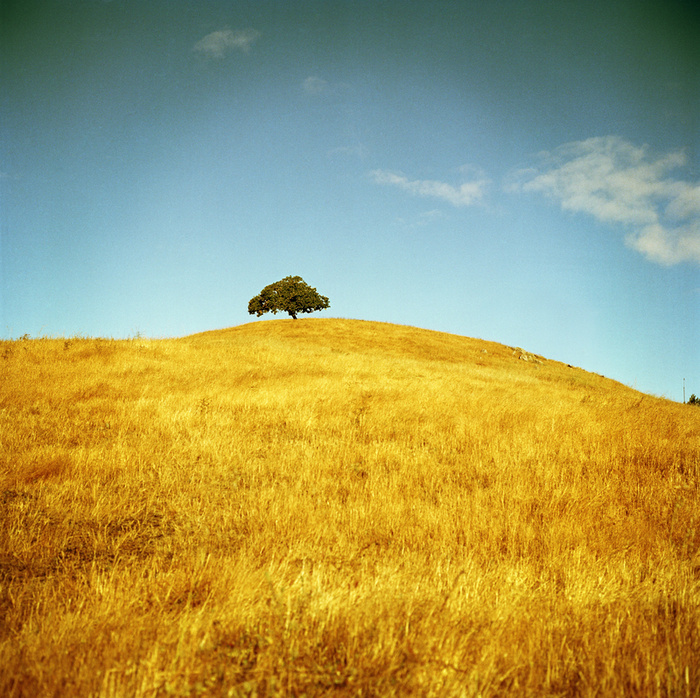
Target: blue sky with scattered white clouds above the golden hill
[[524, 172]]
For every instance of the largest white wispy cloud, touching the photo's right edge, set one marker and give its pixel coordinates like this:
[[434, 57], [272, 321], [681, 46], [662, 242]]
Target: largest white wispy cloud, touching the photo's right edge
[[617, 182]]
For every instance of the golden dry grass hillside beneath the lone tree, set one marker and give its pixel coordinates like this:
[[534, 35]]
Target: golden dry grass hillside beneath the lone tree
[[340, 507]]
